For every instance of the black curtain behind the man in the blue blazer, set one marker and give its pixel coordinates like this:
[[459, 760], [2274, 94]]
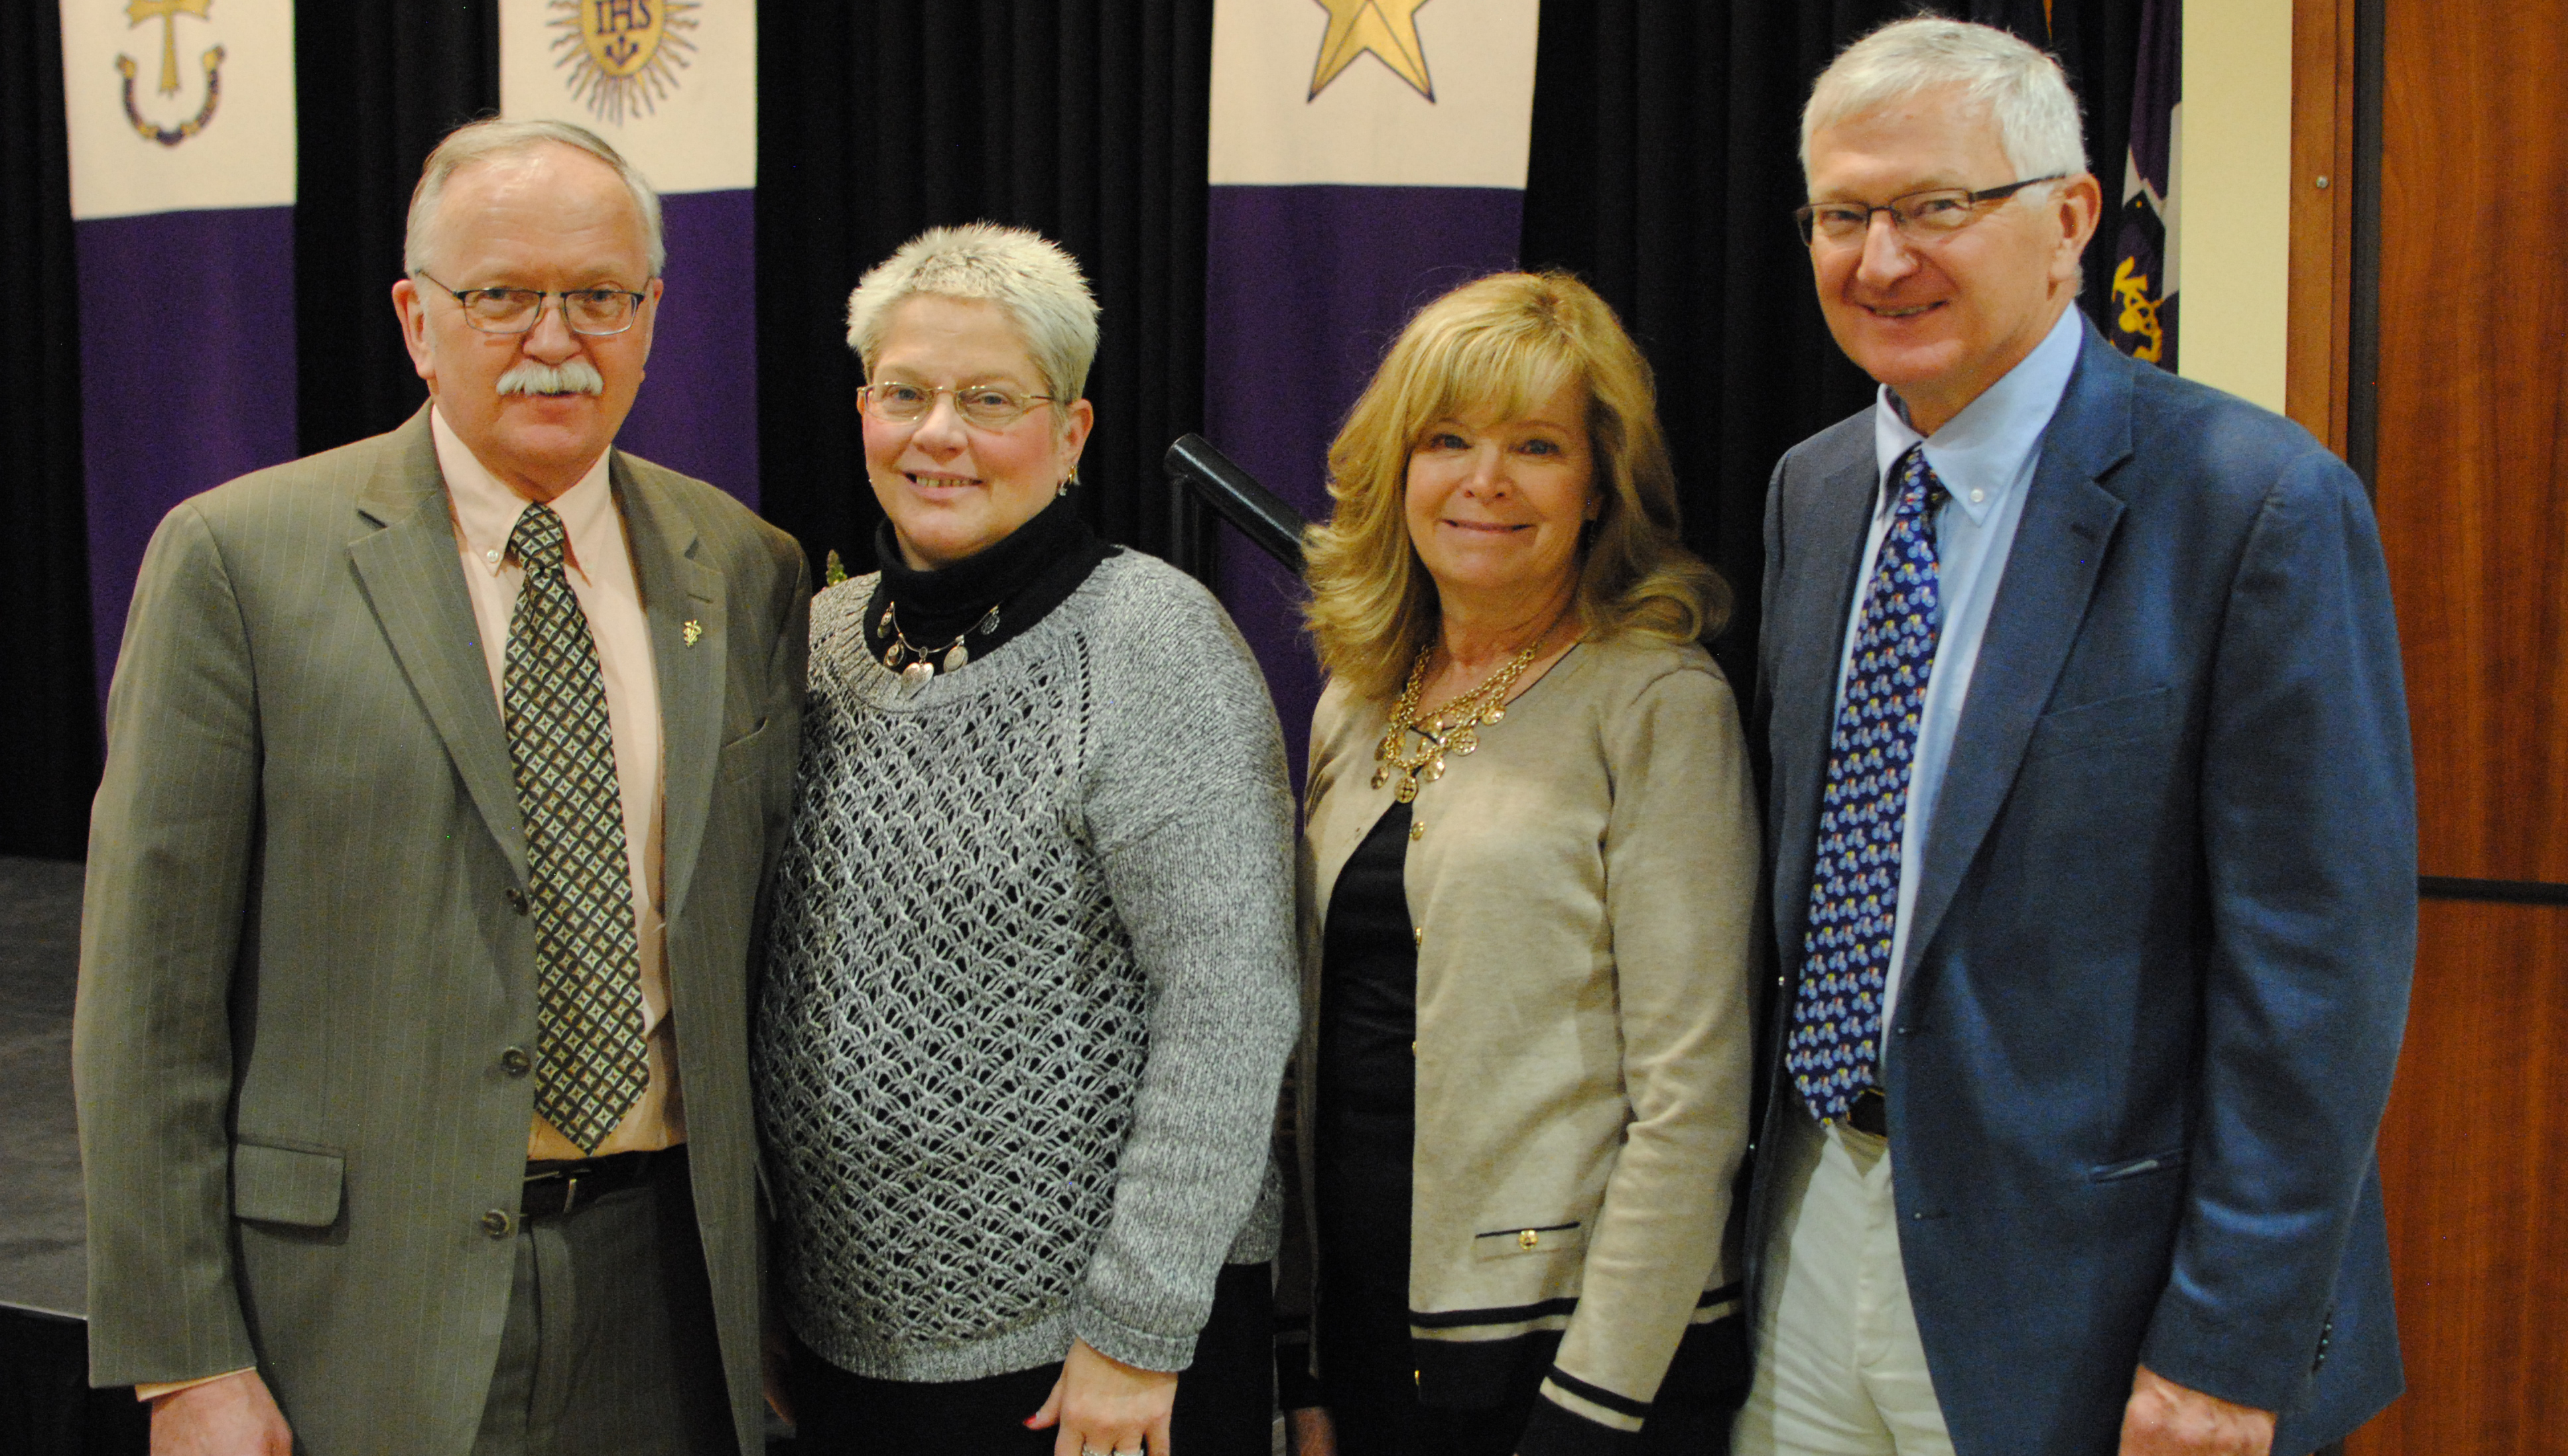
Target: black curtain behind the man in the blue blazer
[[1665, 168]]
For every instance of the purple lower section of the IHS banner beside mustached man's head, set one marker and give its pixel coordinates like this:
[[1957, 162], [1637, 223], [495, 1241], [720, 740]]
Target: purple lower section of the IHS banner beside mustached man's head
[[700, 402]]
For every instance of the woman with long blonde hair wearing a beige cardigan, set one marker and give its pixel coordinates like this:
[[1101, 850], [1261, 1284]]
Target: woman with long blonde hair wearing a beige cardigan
[[1527, 877]]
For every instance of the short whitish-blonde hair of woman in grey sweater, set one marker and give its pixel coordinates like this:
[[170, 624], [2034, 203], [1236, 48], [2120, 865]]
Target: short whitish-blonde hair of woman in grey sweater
[[1023, 273]]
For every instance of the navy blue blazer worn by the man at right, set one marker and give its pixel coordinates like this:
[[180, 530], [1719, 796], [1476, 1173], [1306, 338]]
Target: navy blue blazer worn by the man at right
[[2164, 939]]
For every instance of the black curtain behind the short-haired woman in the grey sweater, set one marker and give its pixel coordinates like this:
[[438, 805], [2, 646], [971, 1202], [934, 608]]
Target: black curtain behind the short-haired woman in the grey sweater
[[1080, 119]]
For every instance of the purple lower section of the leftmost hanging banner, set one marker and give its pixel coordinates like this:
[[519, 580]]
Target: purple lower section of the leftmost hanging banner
[[186, 376]]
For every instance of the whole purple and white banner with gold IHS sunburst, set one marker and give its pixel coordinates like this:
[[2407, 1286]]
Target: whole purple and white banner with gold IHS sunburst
[[674, 89]]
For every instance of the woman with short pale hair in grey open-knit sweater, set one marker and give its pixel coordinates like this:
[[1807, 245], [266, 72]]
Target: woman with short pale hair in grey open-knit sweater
[[1028, 982]]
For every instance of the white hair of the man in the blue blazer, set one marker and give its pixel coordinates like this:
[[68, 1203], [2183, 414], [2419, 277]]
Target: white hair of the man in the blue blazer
[[2015, 83]]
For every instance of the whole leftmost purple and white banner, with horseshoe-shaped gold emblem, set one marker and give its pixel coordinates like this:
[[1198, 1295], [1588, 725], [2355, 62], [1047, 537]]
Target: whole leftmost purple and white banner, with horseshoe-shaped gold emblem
[[181, 119]]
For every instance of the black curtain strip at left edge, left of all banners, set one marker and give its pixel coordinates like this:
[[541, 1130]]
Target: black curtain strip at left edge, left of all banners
[[48, 687]]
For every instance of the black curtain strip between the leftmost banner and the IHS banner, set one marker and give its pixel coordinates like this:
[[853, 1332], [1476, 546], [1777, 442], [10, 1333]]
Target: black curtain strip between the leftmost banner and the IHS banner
[[376, 89]]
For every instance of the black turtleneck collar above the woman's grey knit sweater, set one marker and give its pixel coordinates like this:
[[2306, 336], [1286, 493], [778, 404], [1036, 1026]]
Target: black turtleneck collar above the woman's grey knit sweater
[[1023, 574]]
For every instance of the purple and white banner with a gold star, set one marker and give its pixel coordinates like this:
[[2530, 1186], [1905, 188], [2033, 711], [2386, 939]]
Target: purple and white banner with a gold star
[[1367, 155]]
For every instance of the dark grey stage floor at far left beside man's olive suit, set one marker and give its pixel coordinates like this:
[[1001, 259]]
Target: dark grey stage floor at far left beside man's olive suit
[[42, 1244]]
